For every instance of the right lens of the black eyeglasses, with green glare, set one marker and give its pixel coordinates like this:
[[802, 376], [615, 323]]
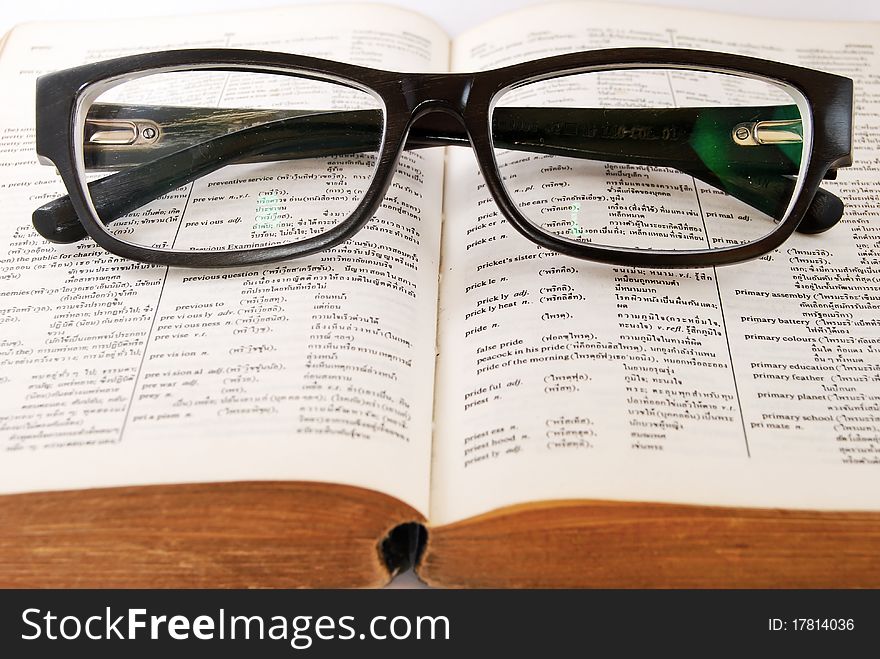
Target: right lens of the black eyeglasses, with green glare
[[652, 159]]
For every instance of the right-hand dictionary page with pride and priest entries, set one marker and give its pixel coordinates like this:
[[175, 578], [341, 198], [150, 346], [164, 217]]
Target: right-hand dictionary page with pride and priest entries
[[748, 385]]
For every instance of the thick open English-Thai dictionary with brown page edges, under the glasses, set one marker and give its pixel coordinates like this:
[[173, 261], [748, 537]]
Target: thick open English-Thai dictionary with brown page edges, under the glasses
[[439, 389]]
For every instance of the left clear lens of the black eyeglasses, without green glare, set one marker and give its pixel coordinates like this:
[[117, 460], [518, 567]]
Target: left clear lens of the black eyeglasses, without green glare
[[210, 160]]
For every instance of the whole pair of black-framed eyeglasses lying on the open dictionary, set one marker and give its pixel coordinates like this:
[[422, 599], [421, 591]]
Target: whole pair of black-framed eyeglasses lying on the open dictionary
[[639, 156]]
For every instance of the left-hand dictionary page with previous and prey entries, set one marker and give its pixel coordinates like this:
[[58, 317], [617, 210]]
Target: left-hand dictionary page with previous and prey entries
[[321, 368]]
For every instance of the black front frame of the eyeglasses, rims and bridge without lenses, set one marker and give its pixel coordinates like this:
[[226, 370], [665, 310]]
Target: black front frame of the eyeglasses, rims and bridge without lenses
[[468, 98]]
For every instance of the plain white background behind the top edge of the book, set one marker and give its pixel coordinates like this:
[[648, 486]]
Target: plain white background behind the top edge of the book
[[455, 16]]
